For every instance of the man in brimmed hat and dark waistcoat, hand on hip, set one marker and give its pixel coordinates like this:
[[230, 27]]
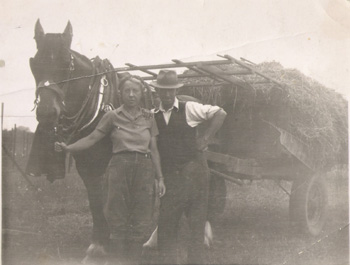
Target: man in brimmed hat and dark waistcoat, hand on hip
[[185, 171]]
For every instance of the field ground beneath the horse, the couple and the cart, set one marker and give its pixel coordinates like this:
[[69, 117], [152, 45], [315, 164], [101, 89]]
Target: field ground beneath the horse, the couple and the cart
[[52, 226]]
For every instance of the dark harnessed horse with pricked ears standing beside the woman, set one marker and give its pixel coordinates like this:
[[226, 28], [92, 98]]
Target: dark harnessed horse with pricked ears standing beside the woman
[[72, 94]]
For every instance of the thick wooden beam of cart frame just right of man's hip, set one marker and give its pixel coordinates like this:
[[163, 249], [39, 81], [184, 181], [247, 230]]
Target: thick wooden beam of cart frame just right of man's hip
[[236, 165]]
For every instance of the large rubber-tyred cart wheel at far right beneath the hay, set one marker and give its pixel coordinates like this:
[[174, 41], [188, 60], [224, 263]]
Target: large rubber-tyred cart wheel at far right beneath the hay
[[308, 204]]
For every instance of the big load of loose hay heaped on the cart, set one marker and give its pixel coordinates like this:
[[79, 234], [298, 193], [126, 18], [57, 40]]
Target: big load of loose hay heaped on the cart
[[315, 115]]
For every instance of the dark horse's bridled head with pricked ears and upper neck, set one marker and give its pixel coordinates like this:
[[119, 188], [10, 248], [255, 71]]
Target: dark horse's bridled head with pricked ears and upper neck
[[54, 66]]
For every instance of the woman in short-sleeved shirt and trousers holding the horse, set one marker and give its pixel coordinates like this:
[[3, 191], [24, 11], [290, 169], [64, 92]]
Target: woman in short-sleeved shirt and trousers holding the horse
[[130, 173]]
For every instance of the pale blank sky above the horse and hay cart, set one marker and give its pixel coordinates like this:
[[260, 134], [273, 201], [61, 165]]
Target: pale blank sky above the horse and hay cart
[[312, 36]]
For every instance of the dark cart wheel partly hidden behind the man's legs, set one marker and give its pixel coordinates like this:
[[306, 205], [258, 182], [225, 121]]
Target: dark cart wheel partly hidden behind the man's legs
[[217, 197]]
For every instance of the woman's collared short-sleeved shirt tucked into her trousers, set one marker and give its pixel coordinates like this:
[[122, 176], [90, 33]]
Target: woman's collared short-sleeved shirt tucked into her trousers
[[129, 133]]
